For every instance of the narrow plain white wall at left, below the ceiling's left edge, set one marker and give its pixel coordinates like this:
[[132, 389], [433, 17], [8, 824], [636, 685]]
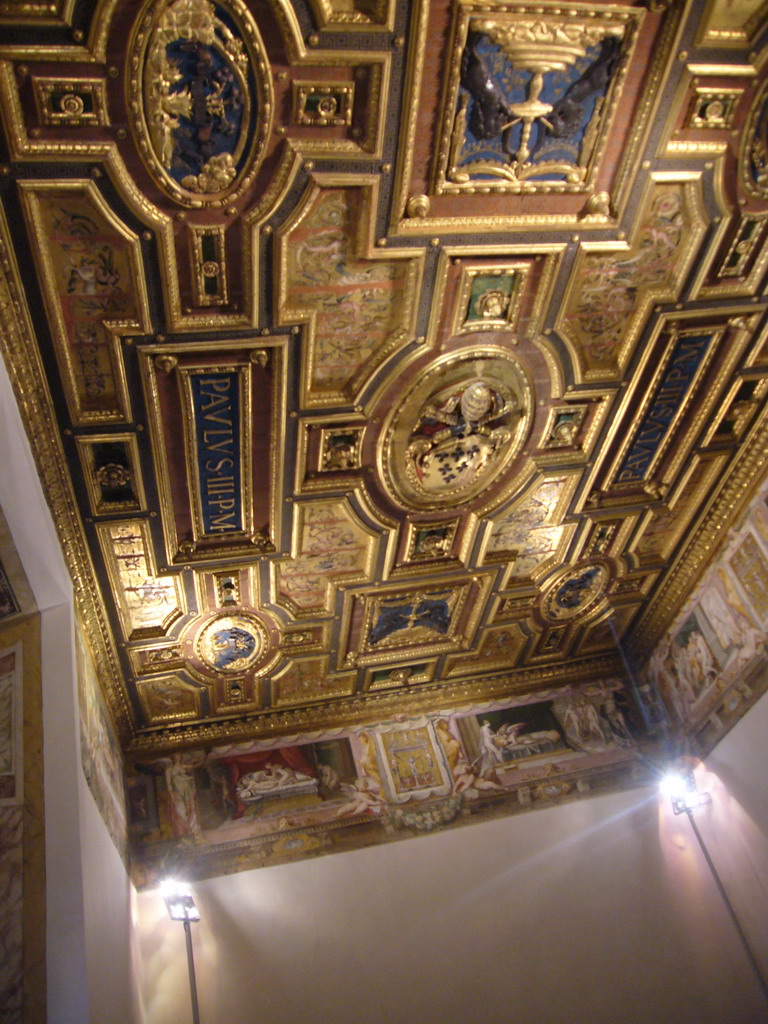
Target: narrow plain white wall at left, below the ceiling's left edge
[[90, 980]]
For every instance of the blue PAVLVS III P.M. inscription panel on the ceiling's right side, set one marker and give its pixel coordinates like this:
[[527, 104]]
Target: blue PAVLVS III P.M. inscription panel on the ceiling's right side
[[671, 392]]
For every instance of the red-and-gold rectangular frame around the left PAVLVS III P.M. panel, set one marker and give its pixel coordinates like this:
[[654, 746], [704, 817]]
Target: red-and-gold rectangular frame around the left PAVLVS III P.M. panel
[[170, 370]]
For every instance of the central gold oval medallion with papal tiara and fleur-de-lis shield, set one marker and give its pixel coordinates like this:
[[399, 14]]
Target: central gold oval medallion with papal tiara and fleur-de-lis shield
[[459, 426]]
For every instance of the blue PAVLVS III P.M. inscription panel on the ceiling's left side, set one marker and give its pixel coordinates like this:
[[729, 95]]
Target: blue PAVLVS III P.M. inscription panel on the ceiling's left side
[[217, 411]]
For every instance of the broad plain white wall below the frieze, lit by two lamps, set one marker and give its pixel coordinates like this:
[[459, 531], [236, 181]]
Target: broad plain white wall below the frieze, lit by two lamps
[[595, 913]]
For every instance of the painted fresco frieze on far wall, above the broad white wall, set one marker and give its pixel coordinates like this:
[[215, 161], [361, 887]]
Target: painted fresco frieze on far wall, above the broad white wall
[[413, 776]]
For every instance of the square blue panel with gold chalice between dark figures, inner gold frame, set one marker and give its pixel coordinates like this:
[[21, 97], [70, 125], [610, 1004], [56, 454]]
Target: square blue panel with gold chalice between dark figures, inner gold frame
[[533, 99]]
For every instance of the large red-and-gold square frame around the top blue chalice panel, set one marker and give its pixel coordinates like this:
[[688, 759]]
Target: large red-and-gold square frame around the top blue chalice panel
[[415, 212]]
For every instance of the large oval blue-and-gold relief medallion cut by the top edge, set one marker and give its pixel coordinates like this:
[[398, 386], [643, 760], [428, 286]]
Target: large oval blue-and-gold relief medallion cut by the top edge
[[202, 98]]
